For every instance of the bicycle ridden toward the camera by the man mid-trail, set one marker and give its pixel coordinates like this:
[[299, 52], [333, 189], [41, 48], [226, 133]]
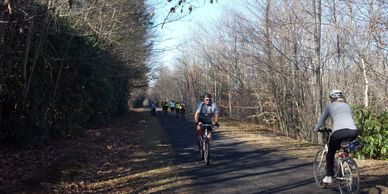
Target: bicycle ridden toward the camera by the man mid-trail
[[204, 143]]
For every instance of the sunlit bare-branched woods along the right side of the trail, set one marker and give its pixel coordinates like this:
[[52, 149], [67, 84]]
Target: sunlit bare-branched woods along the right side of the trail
[[274, 62]]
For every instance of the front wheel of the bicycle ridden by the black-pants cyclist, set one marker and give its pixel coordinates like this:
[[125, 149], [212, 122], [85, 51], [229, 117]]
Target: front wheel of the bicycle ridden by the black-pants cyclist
[[319, 167]]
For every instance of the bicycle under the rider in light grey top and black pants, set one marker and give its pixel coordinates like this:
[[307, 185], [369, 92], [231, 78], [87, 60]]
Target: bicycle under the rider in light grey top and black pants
[[347, 174]]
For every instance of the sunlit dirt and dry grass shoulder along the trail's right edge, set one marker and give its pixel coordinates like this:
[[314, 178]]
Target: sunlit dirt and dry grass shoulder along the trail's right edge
[[374, 173]]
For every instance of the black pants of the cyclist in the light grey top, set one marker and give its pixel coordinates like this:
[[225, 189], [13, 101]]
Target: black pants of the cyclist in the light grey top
[[335, 144]]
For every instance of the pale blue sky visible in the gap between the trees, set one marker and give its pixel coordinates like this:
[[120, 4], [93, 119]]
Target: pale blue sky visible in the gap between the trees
[[176, 34]]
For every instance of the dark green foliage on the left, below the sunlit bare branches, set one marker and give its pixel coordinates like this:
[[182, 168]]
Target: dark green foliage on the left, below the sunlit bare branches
[[71, 80]]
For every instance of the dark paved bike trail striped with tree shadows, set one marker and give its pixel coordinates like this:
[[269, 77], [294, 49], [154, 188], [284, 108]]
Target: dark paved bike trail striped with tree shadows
[[236, 166]]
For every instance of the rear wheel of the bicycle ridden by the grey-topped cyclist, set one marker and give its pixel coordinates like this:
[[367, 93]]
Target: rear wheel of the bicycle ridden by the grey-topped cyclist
[[350, 180]]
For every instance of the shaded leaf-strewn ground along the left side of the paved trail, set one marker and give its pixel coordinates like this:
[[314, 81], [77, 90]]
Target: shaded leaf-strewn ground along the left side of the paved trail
[[132, 155]]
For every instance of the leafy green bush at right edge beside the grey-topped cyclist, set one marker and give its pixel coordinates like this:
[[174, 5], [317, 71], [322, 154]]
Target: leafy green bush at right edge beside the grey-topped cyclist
[[373, 133]]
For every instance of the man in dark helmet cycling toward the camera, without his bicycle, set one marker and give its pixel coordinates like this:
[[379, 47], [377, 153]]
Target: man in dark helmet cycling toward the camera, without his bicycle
[[206, 110]]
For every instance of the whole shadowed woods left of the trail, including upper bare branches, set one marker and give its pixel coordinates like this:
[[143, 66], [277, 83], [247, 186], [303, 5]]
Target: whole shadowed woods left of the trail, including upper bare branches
[[66, 64]]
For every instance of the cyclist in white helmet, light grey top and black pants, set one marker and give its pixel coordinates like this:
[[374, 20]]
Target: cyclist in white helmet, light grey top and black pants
[[343, 128]]
